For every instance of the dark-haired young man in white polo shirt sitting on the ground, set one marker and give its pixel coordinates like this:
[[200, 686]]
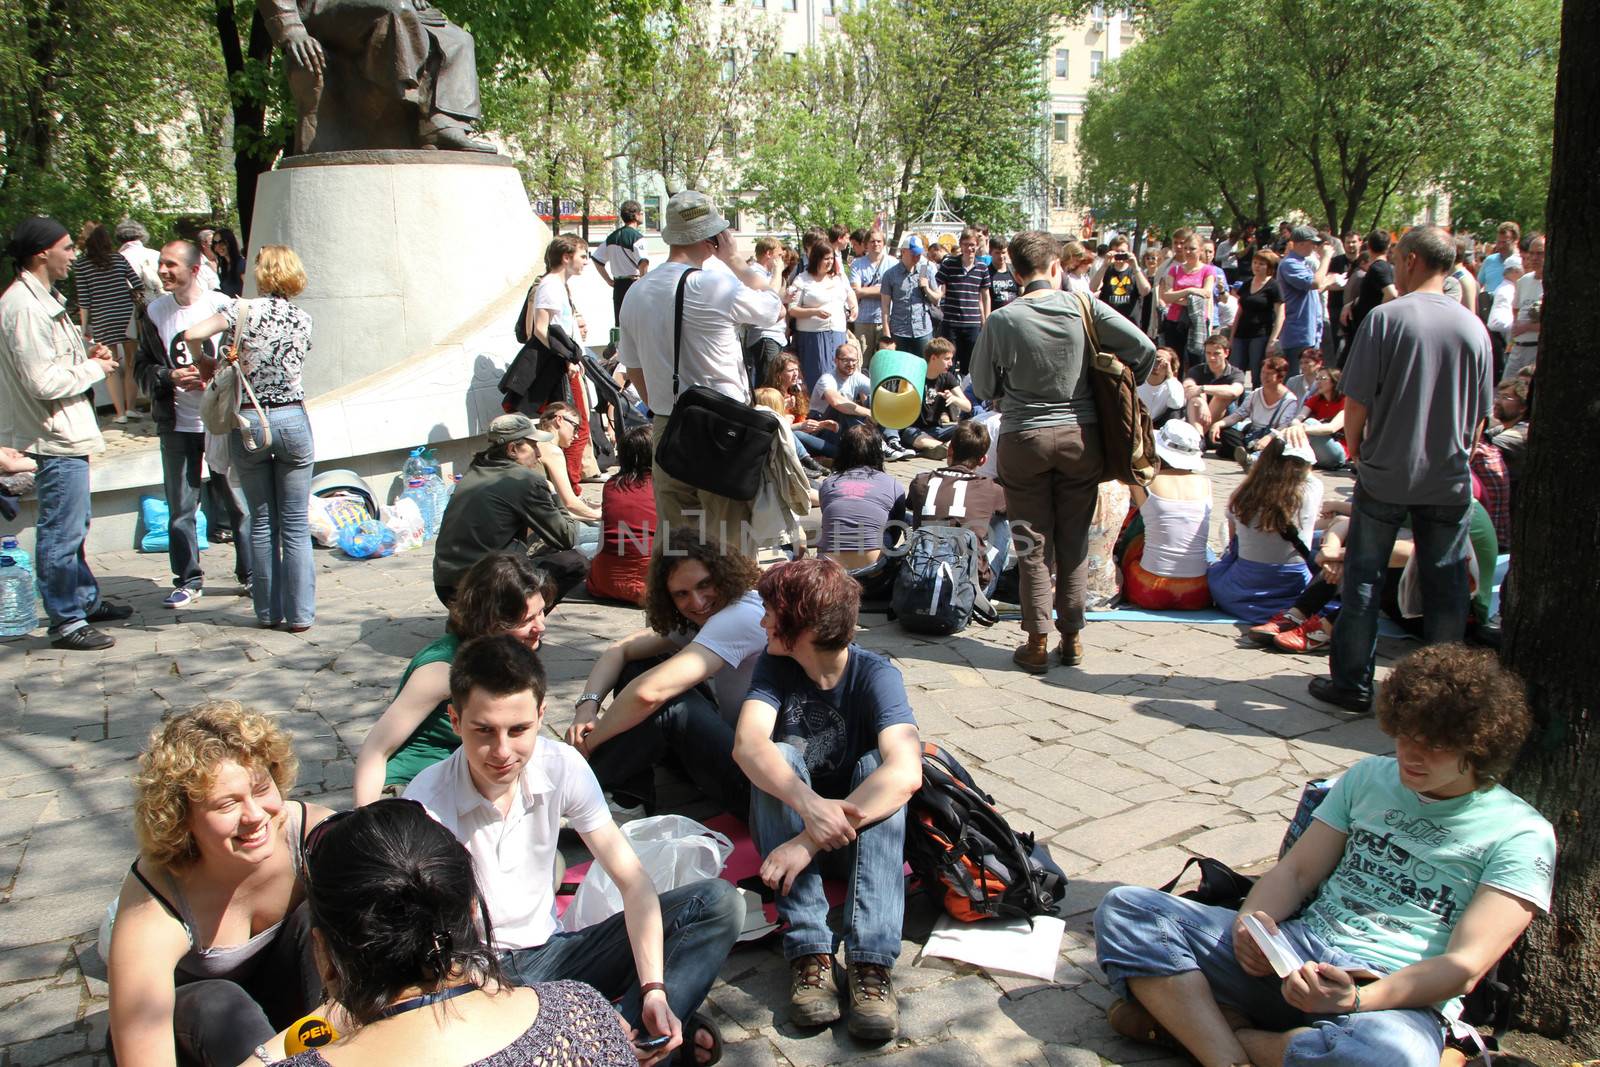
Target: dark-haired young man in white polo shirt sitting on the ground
[[505, 794]]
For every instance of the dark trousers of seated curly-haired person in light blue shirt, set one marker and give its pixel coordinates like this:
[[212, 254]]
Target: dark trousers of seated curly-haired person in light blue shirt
[[689, 727]]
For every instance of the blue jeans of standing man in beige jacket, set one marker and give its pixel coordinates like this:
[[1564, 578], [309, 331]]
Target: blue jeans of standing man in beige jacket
[[65, 580]]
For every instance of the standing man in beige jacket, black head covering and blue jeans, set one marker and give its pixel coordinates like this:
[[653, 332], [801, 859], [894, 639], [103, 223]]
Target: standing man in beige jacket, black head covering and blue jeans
[[47, 414]]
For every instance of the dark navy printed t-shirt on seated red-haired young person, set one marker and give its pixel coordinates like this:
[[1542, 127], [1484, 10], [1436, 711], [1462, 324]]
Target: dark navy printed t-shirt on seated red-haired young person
[[833, 729]]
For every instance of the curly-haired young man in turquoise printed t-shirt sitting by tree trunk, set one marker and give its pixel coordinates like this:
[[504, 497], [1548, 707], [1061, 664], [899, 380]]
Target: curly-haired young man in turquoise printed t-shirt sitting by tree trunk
[[1420, 869]]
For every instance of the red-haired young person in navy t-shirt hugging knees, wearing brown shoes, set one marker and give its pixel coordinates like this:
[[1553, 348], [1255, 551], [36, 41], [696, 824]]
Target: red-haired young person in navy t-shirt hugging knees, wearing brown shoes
[[833, 754]]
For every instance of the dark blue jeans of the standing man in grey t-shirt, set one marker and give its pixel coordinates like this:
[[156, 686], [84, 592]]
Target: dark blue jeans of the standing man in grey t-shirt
[[1441, 535]]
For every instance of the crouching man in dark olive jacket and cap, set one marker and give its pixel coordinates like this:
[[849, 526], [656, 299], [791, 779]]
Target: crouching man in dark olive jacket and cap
[[505, 505]]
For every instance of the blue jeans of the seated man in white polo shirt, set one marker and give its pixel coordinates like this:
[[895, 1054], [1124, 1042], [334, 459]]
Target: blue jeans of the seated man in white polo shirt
[[700, 924]]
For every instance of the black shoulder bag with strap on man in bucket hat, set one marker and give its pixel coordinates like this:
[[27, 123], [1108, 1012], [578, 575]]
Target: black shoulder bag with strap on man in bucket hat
[[713, 442]]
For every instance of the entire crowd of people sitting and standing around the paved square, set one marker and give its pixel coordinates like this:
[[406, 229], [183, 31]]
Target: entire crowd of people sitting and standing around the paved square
[[247, 911]]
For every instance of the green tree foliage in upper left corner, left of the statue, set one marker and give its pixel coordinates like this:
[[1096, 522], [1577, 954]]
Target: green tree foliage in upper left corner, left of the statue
[[108, 110]]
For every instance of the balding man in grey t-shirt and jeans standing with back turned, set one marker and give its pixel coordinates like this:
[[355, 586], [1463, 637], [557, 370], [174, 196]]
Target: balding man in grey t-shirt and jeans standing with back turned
[[1418, 385]]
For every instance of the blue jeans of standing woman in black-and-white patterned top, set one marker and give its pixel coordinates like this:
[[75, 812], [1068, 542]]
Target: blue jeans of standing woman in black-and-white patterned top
[[278, 487]]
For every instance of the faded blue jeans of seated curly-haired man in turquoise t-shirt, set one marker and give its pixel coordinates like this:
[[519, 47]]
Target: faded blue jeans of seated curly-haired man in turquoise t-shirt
[[1148, 933]]
